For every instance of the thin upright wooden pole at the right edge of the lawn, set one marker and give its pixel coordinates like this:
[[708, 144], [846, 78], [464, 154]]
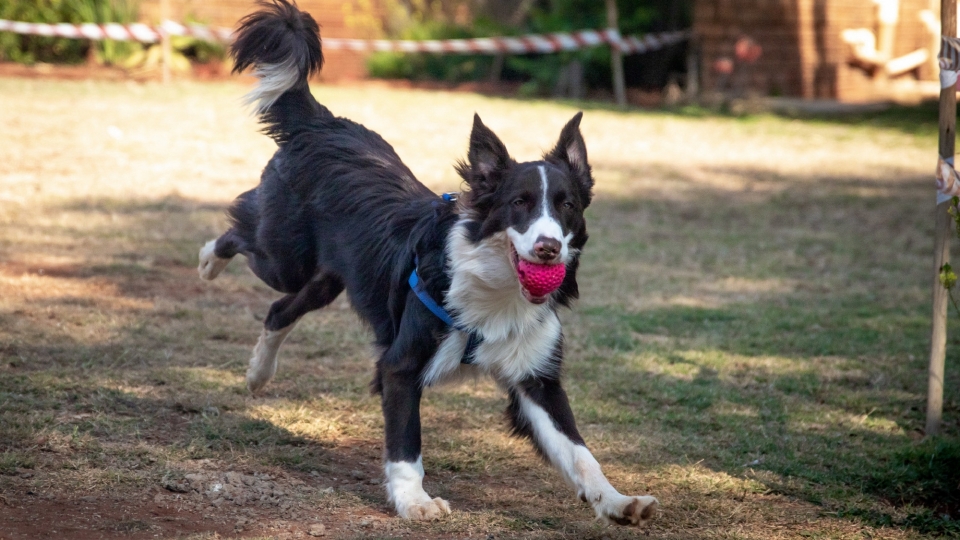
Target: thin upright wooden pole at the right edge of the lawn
[[944, 230]]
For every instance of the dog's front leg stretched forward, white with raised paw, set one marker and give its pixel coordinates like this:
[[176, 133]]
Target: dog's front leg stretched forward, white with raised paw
[[539, 410]]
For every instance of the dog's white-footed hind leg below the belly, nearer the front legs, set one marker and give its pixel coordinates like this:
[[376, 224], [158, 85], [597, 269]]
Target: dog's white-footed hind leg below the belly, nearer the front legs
[[283, 316]]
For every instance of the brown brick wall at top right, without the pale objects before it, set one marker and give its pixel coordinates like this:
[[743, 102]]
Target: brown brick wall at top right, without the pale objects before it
[[803, 53]]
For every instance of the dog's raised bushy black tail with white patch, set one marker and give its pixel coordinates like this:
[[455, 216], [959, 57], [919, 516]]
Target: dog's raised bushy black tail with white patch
[[282, 44]]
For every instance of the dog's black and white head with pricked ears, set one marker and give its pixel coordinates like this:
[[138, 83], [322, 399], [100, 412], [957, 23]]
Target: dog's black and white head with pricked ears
[[538, 206]]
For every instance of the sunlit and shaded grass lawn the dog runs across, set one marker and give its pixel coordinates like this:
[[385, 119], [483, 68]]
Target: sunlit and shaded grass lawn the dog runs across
[[750, 346]]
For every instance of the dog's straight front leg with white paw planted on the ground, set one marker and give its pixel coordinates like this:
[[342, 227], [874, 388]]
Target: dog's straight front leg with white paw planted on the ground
[[400, 398]]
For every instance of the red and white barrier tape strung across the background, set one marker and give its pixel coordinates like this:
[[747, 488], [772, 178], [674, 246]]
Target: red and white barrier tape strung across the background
[[537, 43]]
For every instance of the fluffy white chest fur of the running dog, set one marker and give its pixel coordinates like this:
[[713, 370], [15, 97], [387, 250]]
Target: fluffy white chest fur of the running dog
[[518, 336]]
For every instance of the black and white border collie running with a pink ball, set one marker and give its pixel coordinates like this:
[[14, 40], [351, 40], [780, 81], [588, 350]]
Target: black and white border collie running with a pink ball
[[337, 210]]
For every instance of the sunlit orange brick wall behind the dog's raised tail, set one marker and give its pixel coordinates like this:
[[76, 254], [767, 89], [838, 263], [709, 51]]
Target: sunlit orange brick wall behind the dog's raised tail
[[330, 14]]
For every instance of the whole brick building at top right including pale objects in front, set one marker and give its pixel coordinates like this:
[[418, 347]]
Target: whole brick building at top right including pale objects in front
[[849, 50]]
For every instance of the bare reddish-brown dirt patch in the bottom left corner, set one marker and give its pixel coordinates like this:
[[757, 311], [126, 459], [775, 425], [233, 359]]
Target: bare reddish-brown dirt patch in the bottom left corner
[[206, 500]]
